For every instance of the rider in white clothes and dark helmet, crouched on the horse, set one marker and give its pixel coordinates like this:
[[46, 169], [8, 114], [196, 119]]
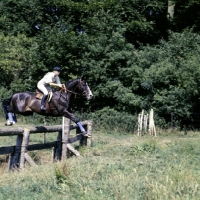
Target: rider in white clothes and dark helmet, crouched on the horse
[[50, 79]]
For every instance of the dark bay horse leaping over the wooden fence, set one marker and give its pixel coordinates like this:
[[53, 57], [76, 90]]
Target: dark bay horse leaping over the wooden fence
[[60, 104]]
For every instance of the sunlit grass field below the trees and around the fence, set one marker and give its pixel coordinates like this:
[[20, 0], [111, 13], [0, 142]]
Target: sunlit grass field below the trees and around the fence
[[117, 166]]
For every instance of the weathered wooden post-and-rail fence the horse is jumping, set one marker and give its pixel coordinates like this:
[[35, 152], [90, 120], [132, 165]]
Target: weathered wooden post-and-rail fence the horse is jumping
[[18, 154]]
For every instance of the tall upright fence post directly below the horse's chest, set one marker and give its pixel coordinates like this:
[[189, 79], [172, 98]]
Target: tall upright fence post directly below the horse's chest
[[65, 134]]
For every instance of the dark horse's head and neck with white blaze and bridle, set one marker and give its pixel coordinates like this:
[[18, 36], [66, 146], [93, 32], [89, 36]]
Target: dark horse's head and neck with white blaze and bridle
[[80, 86]]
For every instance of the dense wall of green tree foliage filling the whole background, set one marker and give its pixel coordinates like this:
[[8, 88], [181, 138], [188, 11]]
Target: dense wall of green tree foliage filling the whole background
[[135, 57]]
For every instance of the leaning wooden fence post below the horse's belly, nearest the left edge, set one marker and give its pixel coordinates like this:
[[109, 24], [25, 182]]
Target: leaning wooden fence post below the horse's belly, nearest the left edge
[[25, 141]]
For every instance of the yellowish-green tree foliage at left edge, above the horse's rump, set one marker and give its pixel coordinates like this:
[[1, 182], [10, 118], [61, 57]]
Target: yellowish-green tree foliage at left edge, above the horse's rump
[[15, 61]]
